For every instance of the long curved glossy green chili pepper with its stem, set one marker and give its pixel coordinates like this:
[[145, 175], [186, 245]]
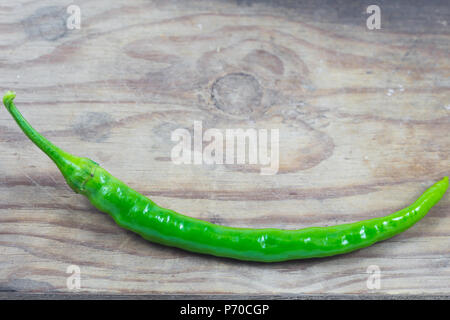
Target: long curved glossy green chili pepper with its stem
[[137, 213]]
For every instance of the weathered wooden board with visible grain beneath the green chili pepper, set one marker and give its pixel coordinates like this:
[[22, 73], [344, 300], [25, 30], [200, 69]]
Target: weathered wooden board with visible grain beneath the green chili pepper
[[364, 118]]
